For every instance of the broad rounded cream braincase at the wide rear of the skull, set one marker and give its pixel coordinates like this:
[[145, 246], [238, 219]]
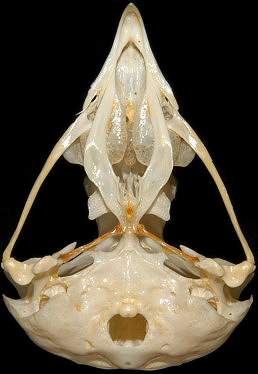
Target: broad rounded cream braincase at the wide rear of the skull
[[142, 315]]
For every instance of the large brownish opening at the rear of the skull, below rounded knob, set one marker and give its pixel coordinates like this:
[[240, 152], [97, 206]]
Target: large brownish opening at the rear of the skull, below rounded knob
[[128, 330]]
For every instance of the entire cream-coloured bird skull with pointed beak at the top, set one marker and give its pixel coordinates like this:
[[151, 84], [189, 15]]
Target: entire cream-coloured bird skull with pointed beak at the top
[[128, 299]]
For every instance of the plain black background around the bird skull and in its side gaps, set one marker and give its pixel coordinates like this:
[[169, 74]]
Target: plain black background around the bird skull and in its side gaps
[[50, 56]]
